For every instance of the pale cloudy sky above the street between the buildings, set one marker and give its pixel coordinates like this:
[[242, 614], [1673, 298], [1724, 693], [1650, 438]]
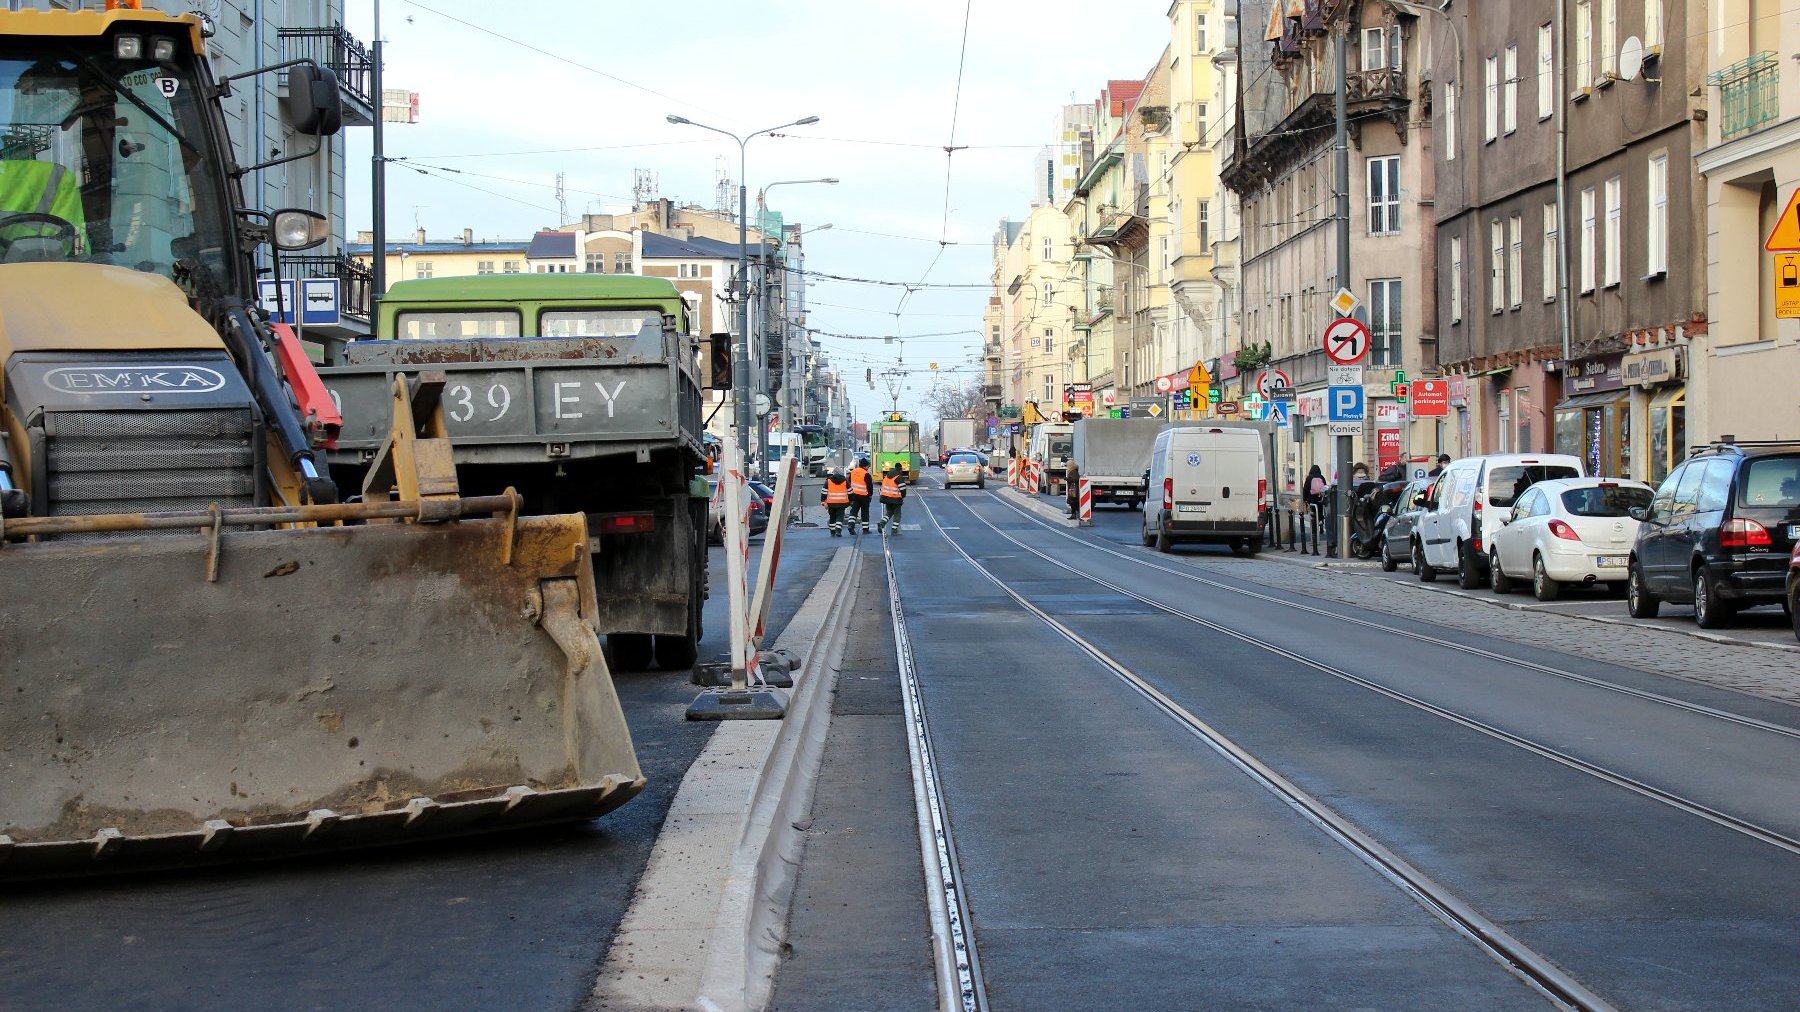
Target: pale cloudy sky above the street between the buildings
[[510, 100]]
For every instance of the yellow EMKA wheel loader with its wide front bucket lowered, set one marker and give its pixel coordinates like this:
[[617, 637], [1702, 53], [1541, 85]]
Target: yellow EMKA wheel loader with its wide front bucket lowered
[[208, 651]]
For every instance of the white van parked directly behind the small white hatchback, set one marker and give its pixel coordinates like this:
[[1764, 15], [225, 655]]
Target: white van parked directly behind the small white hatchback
[[1471, 491]]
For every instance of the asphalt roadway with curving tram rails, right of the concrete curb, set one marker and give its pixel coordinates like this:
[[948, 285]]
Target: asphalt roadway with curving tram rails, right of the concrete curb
[[1212, 782]]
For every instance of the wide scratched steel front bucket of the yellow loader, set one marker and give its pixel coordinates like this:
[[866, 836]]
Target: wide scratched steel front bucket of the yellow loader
[[235, 694]]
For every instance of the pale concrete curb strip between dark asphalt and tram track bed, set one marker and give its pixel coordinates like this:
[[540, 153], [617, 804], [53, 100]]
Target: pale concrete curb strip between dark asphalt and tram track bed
[[706, 925]]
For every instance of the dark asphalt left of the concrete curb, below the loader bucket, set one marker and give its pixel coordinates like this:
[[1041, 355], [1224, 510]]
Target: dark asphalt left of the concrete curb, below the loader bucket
[[517, 921]]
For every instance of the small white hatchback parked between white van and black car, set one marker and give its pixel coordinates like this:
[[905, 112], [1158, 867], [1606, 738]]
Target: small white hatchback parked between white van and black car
[[1574, 530]]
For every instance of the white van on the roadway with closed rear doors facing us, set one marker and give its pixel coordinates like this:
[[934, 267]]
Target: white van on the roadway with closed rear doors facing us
[[1207, 487]]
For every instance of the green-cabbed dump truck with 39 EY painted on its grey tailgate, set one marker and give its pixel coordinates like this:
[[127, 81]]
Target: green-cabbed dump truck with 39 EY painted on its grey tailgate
[[584, 393]]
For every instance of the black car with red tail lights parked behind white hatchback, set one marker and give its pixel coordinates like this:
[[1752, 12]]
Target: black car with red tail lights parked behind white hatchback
[[1720, 532]]
